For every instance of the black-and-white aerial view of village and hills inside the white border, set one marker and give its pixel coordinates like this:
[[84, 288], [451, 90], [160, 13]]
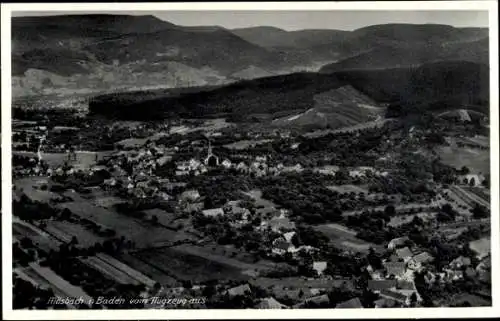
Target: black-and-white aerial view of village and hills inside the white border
[[250, 160]]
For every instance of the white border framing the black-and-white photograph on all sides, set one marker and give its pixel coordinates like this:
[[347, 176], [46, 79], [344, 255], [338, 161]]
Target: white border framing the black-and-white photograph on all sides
[[246, 314]]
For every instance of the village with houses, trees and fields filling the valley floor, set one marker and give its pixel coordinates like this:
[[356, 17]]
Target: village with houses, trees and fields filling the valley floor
[[244, 218]]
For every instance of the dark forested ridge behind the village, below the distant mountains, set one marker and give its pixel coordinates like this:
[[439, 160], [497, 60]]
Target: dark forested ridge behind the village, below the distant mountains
[[436, 85]]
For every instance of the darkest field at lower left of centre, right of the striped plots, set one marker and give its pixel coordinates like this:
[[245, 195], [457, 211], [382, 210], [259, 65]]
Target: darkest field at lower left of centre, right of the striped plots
[[175, 262]]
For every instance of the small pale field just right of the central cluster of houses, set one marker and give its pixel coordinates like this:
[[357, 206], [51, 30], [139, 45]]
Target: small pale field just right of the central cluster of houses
[[344, 237]]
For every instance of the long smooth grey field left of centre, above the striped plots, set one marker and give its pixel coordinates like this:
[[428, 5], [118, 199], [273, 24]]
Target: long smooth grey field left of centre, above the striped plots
[[144, 234]]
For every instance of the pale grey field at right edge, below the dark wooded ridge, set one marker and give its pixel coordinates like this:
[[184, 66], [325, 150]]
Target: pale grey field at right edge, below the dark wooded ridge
[[477, 160]]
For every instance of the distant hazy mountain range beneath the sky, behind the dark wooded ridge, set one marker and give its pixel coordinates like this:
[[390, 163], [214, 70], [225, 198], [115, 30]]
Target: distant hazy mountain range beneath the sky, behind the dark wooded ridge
[[103, 53]]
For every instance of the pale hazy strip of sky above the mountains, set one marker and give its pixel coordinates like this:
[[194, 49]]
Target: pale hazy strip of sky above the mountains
[[295, 20]]
